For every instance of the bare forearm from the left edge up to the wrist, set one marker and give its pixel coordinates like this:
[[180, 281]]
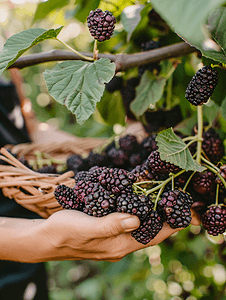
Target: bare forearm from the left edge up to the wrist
[[21, 240]]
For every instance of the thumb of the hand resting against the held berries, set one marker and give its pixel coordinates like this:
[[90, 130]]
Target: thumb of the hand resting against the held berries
[[115, 224]]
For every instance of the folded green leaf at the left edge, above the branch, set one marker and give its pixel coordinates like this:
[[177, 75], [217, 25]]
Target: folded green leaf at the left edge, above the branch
[[20, 42]]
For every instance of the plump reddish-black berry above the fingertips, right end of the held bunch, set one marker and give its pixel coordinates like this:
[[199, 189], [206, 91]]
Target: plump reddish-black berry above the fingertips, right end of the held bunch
[[174, 208]]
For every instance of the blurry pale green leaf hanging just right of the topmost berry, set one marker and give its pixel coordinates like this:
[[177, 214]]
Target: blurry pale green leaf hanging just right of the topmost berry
[[131, 17]]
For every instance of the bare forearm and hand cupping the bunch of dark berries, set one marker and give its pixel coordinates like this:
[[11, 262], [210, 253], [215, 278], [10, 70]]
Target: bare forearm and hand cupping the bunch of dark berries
[[72, 235]]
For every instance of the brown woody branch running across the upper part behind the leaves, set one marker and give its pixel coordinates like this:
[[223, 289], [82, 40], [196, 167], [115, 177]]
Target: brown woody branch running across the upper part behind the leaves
[[122, 61]]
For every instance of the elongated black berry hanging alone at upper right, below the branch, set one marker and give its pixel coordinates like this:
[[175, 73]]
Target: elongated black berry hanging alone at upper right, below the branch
[[202, 86]]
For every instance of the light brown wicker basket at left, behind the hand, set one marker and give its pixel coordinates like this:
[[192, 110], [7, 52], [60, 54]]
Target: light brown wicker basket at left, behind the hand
[[33, 190]]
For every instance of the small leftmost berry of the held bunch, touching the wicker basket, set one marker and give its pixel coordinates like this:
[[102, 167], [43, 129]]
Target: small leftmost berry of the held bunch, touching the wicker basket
[[66, 197]]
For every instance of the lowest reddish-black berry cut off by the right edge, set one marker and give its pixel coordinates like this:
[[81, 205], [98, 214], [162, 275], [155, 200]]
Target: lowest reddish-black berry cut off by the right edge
[[214, 219]]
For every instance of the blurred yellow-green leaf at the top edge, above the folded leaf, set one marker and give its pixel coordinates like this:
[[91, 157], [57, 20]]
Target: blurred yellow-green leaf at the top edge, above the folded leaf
[[44, 8]]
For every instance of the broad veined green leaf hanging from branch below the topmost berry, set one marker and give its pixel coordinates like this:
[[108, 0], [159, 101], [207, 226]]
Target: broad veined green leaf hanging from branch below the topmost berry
[[79, 85]]
